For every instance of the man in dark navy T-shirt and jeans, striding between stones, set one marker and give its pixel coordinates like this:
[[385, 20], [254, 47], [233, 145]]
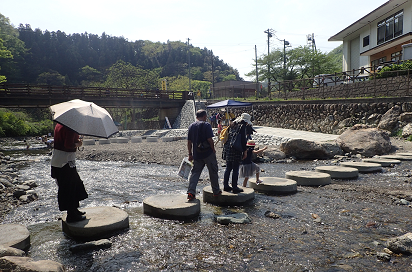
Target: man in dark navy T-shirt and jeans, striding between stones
[[201, 133]]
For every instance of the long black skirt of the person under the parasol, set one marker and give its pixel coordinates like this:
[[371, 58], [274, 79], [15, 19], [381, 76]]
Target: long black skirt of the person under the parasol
[[71, 188]]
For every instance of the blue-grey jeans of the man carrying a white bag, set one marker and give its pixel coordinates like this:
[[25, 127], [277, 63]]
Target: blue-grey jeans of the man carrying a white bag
[[197, 169]]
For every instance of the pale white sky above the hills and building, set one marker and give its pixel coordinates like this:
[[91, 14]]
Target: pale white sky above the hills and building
[[230, 28]]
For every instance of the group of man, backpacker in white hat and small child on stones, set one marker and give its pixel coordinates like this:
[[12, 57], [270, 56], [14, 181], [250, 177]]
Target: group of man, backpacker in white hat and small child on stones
[[237, 152]]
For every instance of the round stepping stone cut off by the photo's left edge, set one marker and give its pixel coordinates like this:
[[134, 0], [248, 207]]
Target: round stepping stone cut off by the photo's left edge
[[14, 235]]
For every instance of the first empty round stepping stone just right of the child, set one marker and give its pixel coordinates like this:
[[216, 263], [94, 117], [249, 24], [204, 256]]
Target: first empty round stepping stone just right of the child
[[274, 185]]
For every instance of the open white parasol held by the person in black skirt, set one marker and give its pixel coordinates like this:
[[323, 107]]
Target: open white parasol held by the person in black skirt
[[86, 118]]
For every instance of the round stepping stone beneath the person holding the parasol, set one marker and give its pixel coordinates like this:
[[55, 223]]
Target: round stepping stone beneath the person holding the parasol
[[100, 222]]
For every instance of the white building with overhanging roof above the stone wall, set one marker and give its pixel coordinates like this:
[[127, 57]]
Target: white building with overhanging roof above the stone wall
[[378, 36]]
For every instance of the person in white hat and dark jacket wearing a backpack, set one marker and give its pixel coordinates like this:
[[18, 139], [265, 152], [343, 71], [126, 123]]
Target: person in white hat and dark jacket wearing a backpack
[[232, 156]]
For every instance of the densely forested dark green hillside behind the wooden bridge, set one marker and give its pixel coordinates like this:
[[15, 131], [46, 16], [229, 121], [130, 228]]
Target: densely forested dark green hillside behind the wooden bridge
[[57, 58]]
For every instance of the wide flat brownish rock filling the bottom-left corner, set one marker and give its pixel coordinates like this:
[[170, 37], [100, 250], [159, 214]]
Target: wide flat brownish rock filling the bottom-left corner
[[25, 264]]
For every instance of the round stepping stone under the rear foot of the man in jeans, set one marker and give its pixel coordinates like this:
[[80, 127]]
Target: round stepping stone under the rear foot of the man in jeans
[[176, 207]]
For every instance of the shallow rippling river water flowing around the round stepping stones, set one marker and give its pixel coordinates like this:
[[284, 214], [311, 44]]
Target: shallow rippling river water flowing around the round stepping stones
[[356, 220]]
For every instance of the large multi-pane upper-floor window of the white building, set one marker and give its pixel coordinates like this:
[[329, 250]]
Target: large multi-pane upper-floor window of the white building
[[391, 27]]
